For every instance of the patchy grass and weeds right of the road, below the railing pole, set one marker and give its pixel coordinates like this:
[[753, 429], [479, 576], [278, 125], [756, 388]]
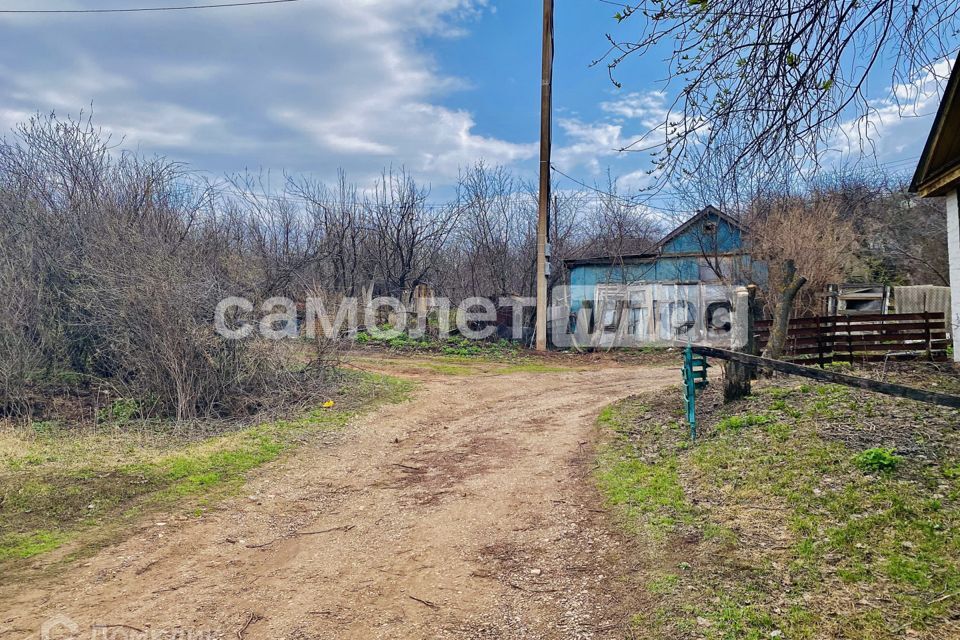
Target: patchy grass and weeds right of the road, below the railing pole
[[806, 511]]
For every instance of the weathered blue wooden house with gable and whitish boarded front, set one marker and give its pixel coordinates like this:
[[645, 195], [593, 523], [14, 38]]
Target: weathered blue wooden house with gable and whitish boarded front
[[680, 289]]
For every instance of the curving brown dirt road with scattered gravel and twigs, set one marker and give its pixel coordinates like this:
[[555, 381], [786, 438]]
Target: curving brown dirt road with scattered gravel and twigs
[[467, 512]]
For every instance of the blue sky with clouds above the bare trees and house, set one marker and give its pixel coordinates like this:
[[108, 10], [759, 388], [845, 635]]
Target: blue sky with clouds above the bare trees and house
[[315, 85]]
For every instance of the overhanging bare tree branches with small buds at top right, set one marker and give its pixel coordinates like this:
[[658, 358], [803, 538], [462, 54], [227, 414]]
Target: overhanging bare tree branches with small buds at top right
[[769, 82]]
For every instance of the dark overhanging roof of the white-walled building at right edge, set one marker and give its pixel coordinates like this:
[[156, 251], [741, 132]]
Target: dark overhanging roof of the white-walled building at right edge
[[939, 168]]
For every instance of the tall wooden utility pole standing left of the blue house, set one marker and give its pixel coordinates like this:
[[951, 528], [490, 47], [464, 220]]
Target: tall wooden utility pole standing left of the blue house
[[543, 213]]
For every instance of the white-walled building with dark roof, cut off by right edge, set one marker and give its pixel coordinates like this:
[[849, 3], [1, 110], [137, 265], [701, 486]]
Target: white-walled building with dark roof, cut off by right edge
[[938, 174]]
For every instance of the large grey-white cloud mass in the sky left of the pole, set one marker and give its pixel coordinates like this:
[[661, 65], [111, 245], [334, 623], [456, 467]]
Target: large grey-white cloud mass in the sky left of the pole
[[311, 86]]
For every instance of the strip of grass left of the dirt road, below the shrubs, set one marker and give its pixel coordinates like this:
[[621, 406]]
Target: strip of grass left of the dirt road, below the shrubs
[[61, 485]]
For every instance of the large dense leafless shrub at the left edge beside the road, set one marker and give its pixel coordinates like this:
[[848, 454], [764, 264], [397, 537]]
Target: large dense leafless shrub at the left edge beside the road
[[113, 265]]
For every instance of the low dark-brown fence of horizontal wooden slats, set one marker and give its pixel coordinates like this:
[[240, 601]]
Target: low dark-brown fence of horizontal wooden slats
[[862, 337]]
